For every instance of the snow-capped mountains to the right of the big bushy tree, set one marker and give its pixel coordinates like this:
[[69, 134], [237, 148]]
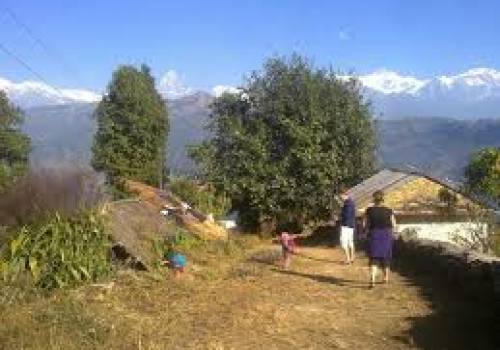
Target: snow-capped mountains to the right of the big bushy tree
[[471, 94]]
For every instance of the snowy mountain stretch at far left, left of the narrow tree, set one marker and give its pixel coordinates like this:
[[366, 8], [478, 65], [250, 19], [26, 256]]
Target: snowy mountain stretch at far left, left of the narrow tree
[[32, 93]]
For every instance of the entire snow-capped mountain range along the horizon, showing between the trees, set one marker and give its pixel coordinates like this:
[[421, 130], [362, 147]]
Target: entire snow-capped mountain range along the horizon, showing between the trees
[[472, 94]]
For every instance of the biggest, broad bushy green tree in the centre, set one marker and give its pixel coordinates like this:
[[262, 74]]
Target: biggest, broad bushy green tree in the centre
[[292, 135]]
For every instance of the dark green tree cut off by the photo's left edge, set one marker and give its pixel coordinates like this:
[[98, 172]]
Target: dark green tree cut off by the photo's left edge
[[14, 145]]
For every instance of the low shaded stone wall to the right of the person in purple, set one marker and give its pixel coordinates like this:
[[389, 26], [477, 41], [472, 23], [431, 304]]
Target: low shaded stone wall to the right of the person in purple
[[476, 276]]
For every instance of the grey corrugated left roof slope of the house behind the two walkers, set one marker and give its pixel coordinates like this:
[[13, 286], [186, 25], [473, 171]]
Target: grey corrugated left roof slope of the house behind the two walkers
[[384, 180]]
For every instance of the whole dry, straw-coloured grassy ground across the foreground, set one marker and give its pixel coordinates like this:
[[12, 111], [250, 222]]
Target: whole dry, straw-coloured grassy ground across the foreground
[[251, 304]]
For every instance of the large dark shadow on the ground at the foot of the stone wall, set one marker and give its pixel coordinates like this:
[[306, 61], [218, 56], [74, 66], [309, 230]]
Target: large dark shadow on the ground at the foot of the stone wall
[[457, 322]]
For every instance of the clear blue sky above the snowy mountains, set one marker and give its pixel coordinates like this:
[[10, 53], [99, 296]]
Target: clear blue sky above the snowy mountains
[[217, 42]]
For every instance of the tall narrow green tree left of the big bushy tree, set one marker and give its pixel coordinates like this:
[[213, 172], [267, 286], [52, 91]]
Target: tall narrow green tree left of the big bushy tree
[[132, 128]]
